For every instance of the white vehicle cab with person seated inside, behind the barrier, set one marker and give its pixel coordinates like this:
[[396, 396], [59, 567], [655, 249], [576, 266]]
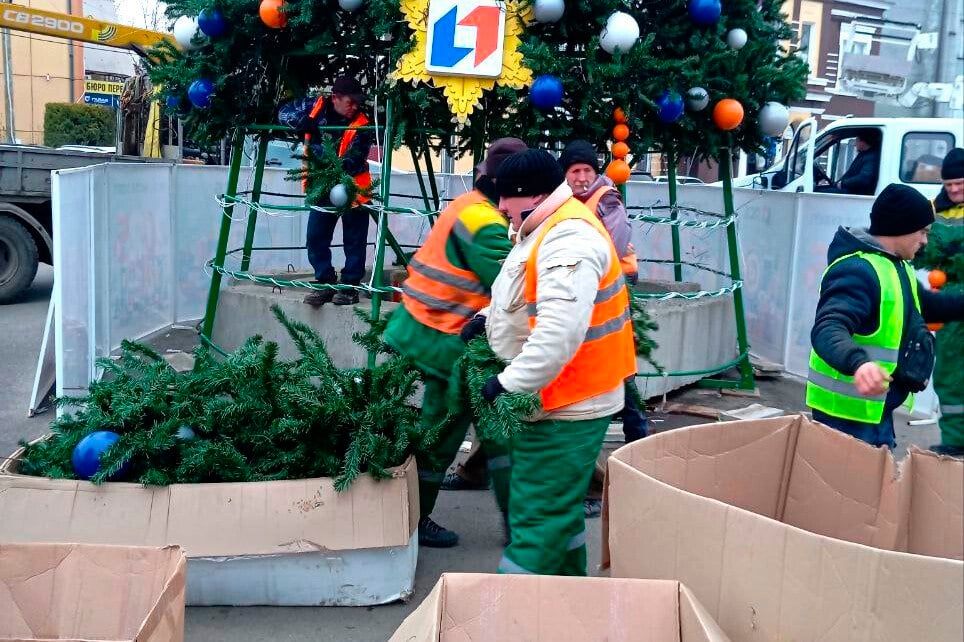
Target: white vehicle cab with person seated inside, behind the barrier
[[912, 151]]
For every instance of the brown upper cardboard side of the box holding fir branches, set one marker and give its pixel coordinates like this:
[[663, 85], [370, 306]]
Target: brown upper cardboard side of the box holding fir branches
[[263, 518]]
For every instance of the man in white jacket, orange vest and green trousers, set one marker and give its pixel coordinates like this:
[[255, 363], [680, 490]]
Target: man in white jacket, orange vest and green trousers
[[560, 317]]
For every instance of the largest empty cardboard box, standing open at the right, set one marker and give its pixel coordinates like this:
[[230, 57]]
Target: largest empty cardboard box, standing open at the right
[[786, 529]]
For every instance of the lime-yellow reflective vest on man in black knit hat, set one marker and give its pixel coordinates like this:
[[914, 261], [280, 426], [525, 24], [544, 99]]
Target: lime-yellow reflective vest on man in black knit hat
[[833, 392]]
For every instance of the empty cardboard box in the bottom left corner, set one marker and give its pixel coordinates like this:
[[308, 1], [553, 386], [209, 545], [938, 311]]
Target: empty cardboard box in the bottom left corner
[[82, 593]]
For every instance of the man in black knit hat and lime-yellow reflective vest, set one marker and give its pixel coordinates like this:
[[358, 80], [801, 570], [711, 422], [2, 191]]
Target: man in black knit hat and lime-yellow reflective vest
[[871, 345]]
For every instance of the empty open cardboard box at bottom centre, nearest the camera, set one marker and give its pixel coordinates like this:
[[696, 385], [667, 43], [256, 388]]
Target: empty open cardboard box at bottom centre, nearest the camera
[[467, 607]]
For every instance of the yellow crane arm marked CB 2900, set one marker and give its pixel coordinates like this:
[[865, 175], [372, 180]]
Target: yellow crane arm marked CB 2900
[[50, 23]]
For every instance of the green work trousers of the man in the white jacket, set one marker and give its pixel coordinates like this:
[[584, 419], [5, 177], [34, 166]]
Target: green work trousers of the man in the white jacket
[[552, 462]]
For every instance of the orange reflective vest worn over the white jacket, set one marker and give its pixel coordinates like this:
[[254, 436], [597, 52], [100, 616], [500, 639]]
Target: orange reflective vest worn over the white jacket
[[607, 354]]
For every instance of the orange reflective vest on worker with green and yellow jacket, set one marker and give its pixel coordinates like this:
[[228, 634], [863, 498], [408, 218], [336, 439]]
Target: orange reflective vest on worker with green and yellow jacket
[[436, 293]]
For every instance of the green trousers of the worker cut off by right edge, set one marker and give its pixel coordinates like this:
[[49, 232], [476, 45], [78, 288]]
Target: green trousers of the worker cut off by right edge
[[949, 383]]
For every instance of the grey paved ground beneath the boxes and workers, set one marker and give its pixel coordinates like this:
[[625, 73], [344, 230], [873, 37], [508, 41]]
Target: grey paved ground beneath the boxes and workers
[[473, 514]]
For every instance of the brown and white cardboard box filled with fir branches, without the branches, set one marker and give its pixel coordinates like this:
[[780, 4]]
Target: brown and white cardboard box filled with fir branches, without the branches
[[280, 543]]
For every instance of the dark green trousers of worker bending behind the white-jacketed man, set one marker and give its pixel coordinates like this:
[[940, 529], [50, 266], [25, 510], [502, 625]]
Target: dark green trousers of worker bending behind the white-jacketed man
[[435, 458]]
